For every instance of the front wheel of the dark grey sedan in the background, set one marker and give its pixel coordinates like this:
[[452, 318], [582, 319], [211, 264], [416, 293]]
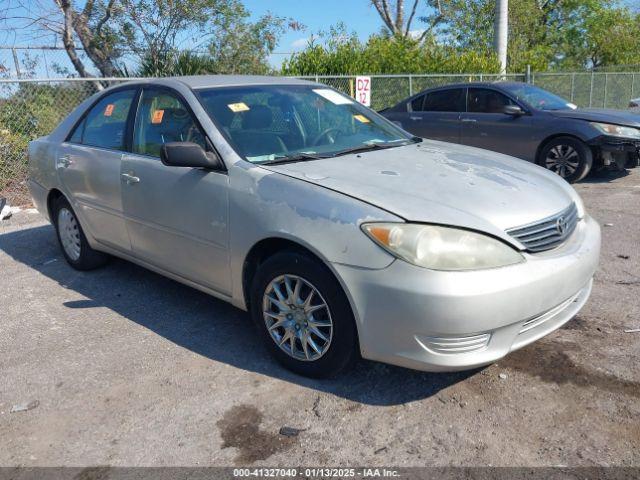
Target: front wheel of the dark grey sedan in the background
[[569, 157]]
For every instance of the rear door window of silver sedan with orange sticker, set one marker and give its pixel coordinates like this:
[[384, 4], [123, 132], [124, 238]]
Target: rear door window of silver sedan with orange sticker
[[105, 124]]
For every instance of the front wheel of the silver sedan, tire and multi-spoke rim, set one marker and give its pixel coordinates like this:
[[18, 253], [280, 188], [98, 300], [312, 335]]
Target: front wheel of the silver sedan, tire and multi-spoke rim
[[337, 350]]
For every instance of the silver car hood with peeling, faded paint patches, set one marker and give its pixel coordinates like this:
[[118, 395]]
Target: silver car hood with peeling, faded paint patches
[[442, 183]]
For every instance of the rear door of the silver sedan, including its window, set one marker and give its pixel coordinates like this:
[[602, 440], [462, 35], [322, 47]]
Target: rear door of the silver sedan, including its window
[[88, 164]]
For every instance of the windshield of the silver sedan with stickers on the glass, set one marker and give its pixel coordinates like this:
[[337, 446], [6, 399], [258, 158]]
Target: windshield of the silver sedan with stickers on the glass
[[270, 123]]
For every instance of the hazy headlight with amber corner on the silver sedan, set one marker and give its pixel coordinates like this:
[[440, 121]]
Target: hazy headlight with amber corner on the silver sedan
[[441, 248]]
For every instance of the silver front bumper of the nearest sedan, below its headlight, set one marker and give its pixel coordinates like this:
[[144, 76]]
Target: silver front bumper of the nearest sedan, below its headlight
[[439, 321]]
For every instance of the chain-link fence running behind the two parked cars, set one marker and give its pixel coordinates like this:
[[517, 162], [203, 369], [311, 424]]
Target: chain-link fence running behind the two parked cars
[[32, 108]]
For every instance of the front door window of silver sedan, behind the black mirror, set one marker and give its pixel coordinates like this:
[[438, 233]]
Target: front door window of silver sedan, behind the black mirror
[[162, 118]]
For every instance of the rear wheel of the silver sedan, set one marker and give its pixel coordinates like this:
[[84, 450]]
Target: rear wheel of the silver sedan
[[72, 240]]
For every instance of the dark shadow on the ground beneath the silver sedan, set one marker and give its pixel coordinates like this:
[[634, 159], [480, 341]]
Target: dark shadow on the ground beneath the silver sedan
[[205, 325]]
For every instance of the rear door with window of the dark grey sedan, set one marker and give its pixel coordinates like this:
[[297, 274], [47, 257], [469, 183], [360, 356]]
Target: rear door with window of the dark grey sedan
[[436, 115]]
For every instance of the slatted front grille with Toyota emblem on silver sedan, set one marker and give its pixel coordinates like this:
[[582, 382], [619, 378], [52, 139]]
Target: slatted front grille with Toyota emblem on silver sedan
[[548, 233]]
